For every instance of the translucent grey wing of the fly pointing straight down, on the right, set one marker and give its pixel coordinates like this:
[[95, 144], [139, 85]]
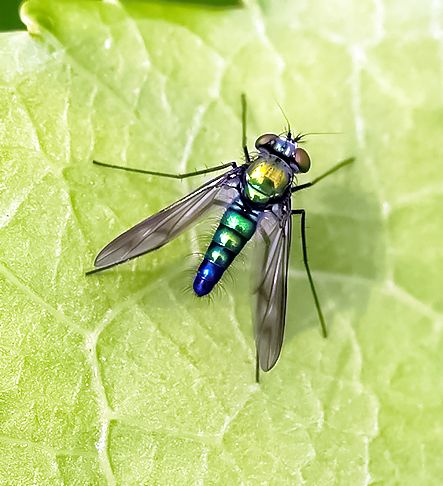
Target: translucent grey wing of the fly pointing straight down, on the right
[[271, 287]]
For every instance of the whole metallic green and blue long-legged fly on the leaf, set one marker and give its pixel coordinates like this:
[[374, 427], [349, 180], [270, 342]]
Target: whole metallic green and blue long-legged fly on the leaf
[[256, 197]]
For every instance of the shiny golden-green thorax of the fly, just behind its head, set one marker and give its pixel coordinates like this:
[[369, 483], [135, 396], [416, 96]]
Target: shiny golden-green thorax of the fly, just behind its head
[[267, 178]]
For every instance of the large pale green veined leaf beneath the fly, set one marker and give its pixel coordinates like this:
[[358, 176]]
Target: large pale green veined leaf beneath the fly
[[123, 378]]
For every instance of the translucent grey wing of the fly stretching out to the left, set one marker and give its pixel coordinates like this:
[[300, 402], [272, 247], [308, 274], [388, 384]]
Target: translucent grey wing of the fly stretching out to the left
[[158, 229]]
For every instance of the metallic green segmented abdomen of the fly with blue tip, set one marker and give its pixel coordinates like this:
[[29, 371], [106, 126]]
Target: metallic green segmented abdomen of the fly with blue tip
[[235, 229]]
